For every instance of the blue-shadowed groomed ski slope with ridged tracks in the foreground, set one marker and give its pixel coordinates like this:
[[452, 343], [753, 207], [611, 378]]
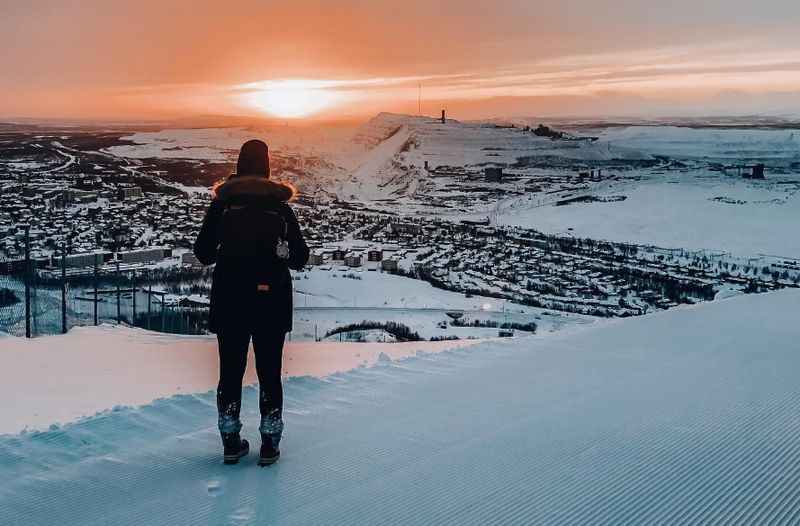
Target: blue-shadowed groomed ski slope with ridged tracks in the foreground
[[682, 417]]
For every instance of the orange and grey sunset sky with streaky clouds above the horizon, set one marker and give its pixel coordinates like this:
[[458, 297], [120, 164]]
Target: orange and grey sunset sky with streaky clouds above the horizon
[[344, 58]]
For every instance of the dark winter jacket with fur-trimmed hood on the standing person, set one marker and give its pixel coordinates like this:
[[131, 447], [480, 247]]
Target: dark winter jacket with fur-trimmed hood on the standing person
[[252, 288]]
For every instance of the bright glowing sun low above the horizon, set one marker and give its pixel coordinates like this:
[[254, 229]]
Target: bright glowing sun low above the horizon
[[291, 99]]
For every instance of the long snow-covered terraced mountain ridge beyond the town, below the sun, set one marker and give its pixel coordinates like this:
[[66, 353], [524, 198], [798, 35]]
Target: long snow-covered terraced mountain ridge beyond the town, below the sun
[[675, 186]]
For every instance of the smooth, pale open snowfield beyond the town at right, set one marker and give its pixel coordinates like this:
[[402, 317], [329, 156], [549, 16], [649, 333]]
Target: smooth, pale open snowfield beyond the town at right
[[687, 210]]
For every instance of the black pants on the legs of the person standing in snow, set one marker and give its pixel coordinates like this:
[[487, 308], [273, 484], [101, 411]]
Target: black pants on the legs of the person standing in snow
[[233, 348]]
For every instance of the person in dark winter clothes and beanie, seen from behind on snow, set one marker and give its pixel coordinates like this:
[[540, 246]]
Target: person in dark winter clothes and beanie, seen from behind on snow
[[253, 236]]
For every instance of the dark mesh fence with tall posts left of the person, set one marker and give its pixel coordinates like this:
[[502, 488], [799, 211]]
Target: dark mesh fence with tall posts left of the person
[[39, 298]]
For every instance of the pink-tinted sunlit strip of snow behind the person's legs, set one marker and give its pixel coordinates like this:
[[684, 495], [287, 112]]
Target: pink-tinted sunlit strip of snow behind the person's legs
[[57, 379]]
